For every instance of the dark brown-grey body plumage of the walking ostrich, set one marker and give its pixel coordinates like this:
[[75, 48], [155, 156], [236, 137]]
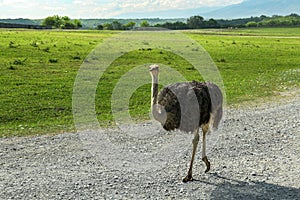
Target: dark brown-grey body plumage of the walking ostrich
[[188, 105]]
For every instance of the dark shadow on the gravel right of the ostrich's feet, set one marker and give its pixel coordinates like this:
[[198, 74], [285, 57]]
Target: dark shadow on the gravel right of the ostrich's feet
[[236, 189]]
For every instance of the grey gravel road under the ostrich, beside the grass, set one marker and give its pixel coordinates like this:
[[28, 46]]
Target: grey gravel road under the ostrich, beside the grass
[[256, 156]]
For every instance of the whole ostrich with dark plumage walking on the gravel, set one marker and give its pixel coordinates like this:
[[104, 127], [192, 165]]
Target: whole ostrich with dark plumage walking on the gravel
[[187, 106]]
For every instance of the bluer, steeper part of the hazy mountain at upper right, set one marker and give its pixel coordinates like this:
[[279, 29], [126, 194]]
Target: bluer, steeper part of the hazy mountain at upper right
[[255, 8]]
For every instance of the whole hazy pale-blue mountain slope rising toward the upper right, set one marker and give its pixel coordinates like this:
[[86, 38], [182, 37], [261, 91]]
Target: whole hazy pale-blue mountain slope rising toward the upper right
[[244, 9]]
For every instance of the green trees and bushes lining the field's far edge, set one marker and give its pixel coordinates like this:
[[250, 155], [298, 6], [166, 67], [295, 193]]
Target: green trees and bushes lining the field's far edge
[[194, 22]]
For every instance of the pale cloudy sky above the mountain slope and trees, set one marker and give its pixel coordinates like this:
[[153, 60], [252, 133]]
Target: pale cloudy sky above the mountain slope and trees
[[36, 9]]
